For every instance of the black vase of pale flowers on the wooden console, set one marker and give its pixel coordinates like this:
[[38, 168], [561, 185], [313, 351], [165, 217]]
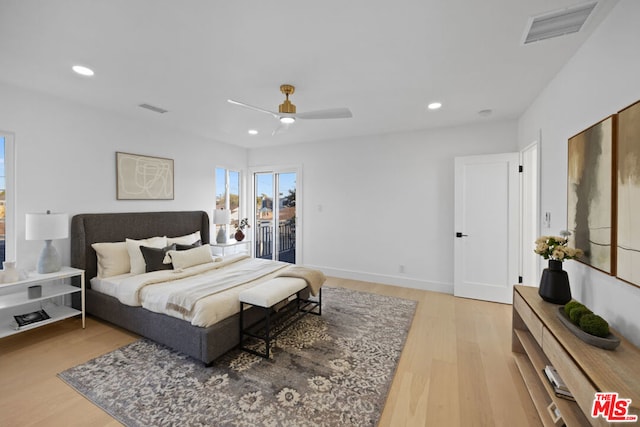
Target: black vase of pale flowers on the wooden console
[[554, 283]]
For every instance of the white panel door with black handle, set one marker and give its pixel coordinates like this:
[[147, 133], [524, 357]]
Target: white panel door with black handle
[[487, 229]]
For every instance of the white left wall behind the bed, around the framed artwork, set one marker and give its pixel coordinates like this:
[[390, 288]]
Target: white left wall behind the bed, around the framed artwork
[[65, 161]]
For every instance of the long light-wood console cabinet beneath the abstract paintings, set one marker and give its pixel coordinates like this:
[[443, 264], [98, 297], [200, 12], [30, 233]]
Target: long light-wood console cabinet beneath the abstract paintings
[[540, 339]]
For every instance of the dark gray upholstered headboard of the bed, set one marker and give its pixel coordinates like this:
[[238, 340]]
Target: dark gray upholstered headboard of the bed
[[116, 227]]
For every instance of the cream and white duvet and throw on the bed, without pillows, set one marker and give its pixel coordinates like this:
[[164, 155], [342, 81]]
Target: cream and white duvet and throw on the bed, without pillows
[[154, 290]]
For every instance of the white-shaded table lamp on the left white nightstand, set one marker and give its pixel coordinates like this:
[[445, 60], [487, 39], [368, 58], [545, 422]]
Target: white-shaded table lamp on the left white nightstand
[[47, 226]]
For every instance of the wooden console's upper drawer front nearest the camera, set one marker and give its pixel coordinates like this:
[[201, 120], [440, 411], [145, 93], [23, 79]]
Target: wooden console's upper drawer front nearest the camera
[[578, 383]]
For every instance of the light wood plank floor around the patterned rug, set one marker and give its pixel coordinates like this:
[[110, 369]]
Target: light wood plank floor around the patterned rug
[[456, 368]]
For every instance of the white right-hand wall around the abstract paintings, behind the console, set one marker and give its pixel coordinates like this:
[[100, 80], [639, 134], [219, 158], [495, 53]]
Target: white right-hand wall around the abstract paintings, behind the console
[[599, 80]]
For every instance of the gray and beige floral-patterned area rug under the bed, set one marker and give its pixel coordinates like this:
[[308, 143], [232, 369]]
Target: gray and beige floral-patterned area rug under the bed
[[329, 370]]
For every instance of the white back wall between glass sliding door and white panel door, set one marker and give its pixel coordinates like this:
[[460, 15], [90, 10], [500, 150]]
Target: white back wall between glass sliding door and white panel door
[[371, 204]]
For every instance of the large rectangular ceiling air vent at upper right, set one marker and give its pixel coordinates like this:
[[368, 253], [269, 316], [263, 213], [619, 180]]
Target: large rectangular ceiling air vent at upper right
[[558, 23]]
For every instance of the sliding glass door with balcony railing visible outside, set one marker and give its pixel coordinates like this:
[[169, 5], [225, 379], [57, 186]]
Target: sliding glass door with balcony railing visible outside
[[275, 215]]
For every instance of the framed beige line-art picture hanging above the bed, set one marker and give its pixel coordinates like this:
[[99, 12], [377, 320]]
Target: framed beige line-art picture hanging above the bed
[[141, 177]]
